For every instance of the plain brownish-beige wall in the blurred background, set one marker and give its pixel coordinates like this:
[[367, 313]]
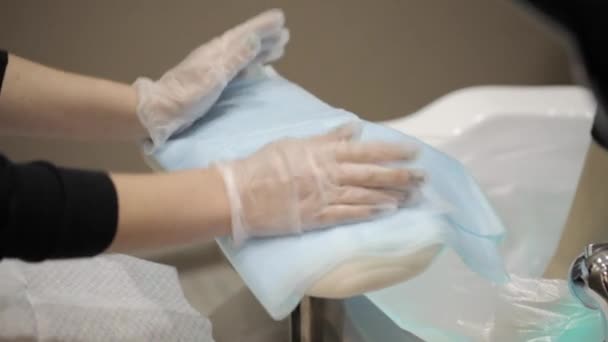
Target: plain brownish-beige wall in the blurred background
[[381, 58]]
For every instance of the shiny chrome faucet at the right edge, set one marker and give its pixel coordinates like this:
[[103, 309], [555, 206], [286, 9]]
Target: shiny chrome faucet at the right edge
[[588, 279]]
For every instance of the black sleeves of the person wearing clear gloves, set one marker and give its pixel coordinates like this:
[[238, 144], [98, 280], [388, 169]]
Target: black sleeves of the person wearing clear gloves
[[50, 212]]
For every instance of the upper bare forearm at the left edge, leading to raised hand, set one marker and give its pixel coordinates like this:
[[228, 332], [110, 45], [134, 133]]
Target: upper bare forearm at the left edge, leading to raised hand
[[40, 101]]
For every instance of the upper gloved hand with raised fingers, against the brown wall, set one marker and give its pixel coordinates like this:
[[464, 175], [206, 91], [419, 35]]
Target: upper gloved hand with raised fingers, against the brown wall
[[186, 92]]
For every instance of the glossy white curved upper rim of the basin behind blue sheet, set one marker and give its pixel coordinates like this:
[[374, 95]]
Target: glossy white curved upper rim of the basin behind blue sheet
[[456, 112]]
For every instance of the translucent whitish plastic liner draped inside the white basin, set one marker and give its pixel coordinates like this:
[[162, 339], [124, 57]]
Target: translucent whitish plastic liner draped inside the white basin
[[528, 164]]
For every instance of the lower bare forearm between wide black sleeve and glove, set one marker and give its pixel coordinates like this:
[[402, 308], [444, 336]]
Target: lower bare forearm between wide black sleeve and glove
[[167, 209]]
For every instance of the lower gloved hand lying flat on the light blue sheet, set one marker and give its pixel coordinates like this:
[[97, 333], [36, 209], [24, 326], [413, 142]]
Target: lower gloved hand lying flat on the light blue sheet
[[294, 185]]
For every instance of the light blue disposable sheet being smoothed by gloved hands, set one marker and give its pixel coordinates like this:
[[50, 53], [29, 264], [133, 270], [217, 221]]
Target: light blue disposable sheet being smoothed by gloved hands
[[263, 107]]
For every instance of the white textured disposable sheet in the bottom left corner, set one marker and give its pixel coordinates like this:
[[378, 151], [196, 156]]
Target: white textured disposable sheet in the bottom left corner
[[106, 298]]
